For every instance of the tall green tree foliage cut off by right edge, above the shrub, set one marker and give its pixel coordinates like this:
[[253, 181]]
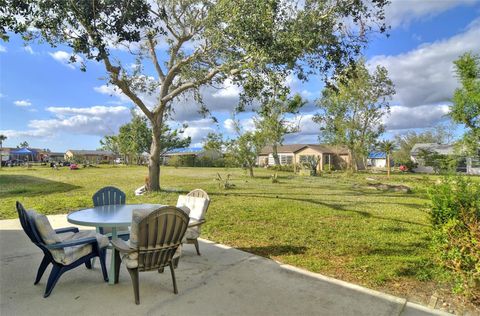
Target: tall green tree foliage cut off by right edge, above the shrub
[[466, 99]]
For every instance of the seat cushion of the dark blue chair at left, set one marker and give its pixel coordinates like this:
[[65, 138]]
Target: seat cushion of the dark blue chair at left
[[69, 255]]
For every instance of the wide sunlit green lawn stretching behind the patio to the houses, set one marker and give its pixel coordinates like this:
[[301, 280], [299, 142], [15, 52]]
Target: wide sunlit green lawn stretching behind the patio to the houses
[[332, 224]]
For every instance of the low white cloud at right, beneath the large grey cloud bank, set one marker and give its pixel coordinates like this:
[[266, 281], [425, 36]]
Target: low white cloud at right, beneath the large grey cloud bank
[[423, 116]]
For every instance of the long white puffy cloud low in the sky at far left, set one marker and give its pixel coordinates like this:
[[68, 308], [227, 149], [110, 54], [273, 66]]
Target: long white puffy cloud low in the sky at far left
[[95, 120]]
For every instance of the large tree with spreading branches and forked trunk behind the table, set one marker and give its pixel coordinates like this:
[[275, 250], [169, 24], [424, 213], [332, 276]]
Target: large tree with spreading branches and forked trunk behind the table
[[192, 44]]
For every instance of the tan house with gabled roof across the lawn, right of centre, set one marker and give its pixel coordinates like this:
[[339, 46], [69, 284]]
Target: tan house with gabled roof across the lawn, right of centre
[[336, 156]]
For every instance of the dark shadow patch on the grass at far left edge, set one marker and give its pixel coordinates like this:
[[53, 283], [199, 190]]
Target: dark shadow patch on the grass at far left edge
[[28, 186]]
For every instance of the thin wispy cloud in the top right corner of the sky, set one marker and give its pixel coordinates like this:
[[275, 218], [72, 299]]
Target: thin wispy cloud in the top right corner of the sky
[[403, 12]]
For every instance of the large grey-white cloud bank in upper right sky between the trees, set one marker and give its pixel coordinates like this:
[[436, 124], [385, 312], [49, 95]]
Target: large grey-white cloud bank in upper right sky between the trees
[[426, 75]]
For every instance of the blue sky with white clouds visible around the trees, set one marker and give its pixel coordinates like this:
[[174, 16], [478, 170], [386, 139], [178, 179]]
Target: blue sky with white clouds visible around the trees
[[52, 104]]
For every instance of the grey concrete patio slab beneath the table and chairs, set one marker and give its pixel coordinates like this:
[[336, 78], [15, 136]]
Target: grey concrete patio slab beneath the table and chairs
[[223, 281]]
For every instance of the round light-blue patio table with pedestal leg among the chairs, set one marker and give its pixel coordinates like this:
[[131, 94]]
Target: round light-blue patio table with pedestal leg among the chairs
[[113, 216]]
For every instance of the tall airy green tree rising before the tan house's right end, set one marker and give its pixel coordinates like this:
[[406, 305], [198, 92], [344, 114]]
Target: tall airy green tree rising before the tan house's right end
[[352, 108]]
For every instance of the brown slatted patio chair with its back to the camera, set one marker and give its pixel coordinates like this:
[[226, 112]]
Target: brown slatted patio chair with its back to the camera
[[154, 239]]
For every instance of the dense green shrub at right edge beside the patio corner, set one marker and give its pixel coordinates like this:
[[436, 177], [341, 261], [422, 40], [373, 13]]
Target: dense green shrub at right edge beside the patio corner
[[455, 216]]
